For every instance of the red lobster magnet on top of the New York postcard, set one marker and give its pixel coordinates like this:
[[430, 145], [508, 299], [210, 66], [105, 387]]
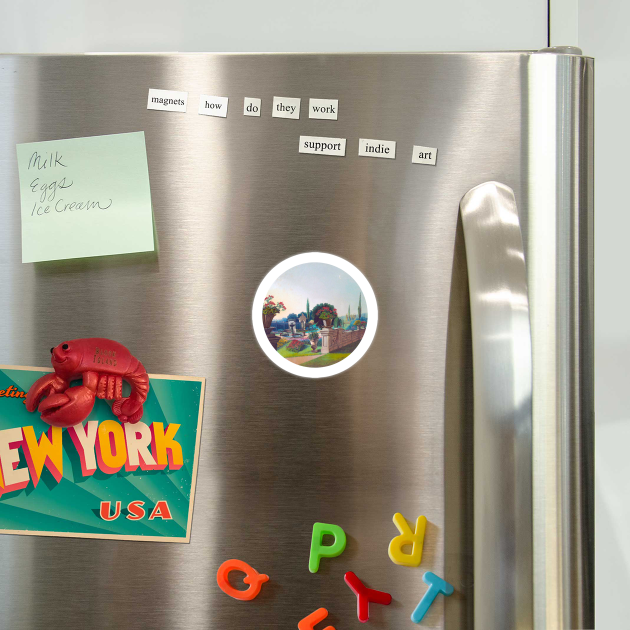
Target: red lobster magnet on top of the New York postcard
[[103, 364]]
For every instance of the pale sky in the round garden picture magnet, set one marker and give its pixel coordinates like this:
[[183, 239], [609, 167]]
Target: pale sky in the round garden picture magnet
[[318, 282]]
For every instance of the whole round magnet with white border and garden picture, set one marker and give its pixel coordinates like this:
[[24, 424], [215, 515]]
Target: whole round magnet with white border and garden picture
[[316, 278]]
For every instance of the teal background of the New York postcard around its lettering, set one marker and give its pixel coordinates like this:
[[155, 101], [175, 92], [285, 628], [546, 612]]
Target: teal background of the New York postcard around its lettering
[[72, 505]]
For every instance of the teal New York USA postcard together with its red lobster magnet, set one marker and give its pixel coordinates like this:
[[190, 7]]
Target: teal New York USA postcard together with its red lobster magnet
[[98, 448]]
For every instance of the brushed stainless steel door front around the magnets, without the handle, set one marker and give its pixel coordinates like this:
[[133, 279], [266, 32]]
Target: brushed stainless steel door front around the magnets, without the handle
[[232, 198]]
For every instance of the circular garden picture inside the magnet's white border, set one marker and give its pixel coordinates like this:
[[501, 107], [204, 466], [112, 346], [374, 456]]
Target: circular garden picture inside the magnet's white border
[[315, 315]]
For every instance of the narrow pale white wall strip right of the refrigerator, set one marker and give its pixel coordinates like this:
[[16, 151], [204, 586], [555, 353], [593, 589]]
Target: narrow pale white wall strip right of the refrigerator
[[604, 29]]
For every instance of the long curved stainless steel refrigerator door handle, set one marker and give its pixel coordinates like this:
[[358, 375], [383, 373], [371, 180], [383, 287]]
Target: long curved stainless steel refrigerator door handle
[[502, 374]]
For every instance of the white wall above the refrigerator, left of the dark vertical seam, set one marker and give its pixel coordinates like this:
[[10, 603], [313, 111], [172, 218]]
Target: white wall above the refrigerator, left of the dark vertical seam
[[282, 25]]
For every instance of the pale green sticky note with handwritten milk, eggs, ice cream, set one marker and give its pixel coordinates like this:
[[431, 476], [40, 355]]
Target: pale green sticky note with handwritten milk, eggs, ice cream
[[85, 197]]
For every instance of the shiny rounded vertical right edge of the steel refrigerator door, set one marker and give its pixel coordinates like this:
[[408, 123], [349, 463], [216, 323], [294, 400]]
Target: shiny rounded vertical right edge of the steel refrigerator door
[[560, 275]]
